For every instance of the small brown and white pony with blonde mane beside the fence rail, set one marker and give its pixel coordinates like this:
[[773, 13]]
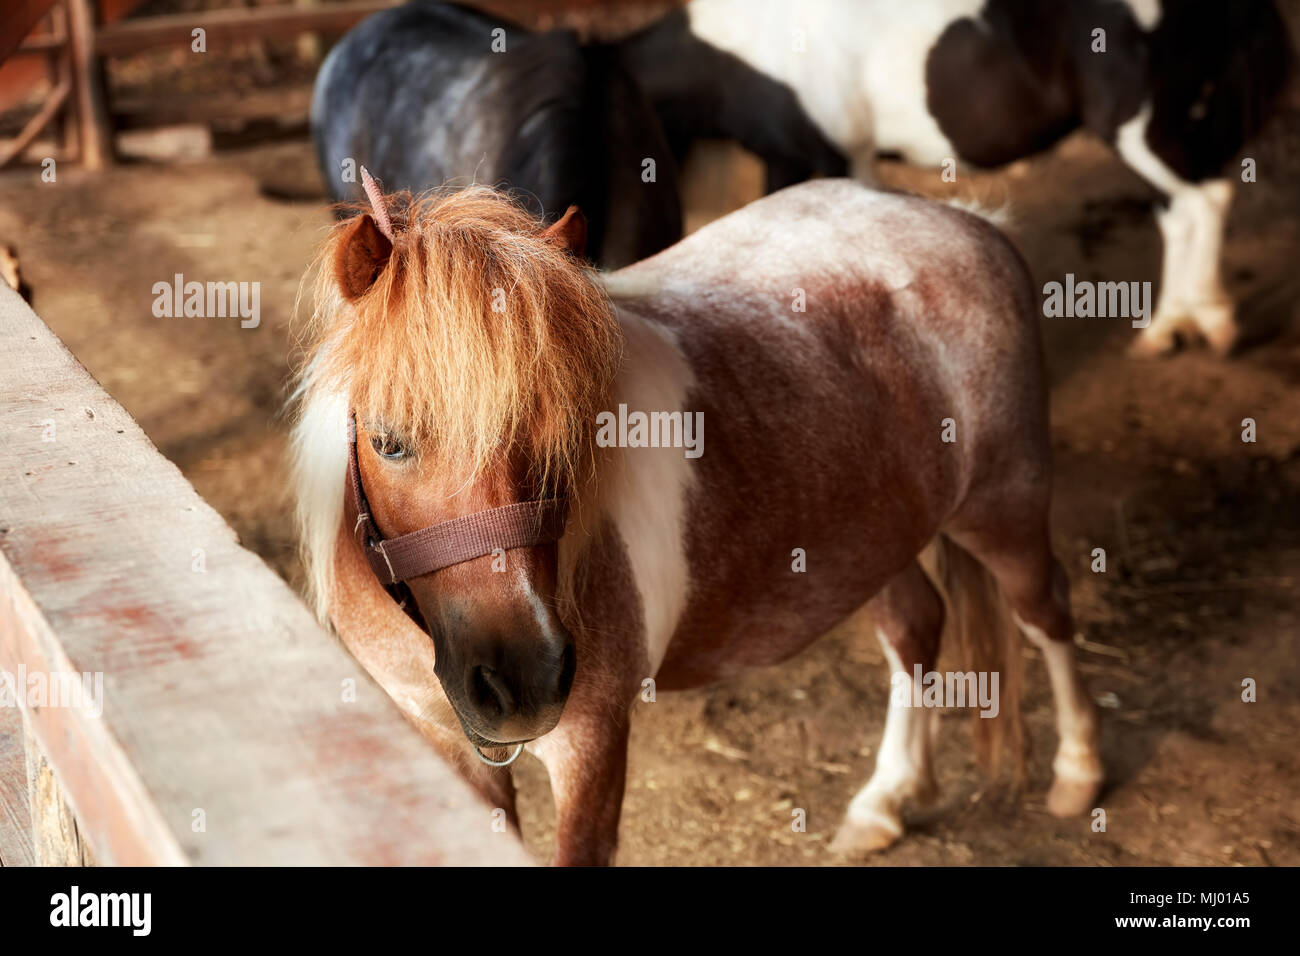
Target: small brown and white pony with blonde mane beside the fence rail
[[869, 369]]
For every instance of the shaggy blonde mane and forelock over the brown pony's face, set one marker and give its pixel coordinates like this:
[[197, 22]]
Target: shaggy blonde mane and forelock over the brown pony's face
[[480, 338]]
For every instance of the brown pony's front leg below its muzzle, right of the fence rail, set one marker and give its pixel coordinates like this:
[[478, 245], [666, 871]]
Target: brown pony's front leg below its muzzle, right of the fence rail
[[587, 759]]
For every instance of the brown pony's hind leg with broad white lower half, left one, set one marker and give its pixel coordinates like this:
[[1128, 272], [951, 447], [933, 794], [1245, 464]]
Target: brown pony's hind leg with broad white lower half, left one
[[909, 617]]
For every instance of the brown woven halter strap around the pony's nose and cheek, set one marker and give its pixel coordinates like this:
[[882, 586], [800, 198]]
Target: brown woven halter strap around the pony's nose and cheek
[[401, 559]]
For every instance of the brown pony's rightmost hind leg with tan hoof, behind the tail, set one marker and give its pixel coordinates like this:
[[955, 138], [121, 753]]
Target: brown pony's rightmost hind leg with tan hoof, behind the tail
[[1039, 594]]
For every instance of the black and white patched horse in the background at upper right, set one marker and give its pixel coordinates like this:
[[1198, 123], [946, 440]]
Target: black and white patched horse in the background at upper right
[[1176, 86]]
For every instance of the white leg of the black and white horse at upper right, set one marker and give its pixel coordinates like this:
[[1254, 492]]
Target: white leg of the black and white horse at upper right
[[1191, 289]]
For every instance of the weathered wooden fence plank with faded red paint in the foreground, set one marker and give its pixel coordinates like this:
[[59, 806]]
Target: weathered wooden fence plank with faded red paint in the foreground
[[222, 699]]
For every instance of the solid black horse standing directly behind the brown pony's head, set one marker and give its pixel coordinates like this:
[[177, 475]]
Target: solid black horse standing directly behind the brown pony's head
[[432, 94]]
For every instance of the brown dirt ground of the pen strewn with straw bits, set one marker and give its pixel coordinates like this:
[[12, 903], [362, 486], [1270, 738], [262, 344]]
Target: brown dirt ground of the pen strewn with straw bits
[[1201, 529]]
